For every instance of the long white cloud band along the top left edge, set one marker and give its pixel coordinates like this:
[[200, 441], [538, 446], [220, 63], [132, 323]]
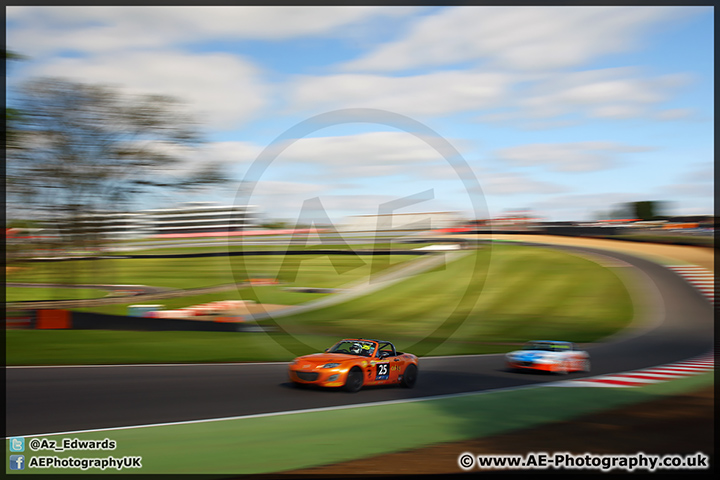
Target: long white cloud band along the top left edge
[[103, 29]]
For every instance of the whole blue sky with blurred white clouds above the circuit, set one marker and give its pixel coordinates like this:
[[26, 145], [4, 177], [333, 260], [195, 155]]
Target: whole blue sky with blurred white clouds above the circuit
[[565, 111]]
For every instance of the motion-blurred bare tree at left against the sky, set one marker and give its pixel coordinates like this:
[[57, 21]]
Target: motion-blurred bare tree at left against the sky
[[84, 148]]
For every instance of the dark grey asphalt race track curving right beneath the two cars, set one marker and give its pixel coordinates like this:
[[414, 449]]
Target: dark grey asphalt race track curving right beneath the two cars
[[41, 400]]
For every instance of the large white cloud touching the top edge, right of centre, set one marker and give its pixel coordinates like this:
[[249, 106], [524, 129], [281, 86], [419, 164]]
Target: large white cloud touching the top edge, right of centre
[[526, 38]]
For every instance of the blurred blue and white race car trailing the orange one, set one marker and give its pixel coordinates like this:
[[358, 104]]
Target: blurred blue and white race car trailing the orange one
[[549, 356]]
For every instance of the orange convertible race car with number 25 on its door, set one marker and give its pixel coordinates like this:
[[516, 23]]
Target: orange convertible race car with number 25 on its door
[[356, 362]]
